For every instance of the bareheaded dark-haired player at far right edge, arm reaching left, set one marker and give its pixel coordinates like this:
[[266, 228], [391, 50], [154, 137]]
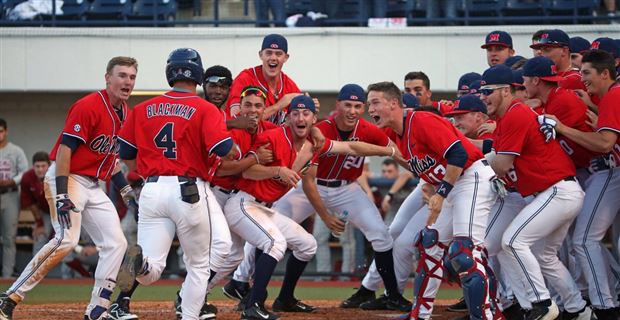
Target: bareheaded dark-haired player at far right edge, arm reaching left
[[601, 204]]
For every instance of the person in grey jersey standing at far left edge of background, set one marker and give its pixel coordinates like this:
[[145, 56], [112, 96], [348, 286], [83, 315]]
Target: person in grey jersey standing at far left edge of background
[[13, 164]]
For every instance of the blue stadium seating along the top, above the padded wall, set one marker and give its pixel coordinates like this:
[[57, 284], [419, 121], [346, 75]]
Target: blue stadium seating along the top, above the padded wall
[[349, 13]]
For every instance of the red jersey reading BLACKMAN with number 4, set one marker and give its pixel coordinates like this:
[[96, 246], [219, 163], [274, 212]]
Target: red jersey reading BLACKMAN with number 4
[[174, 134]]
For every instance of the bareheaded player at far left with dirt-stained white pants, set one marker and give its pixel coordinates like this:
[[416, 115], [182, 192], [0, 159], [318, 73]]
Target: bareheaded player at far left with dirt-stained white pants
[[85, 153]]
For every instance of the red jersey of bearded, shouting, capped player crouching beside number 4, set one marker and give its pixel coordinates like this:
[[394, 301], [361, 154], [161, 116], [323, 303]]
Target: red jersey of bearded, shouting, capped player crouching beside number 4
[[284, 155]]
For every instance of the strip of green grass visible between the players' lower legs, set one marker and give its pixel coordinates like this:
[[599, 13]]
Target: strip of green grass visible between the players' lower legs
[[54, 293]]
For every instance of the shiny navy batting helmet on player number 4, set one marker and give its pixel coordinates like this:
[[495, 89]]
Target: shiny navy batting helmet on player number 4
[[184, 64]]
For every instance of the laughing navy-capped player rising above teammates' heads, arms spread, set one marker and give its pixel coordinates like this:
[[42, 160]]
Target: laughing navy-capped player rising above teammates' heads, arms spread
[[279, 87]]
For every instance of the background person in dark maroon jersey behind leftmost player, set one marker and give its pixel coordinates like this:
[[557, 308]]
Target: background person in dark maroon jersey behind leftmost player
[[33, 199]]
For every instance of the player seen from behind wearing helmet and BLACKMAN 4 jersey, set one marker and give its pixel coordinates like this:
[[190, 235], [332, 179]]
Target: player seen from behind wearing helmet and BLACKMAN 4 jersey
[[167, 138]]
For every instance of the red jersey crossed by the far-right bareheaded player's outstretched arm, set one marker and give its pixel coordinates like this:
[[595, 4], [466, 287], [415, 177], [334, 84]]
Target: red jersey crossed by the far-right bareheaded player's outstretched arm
[[571, 111]]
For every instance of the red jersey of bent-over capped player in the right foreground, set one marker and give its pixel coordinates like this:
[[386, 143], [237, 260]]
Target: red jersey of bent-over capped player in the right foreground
[[538, 165]]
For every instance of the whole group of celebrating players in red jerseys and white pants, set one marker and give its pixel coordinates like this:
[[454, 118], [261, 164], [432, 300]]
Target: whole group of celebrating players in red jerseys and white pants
[[500, 206]]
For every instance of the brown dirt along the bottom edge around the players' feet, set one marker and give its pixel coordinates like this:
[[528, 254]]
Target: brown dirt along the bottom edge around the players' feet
[[164, 311]]
